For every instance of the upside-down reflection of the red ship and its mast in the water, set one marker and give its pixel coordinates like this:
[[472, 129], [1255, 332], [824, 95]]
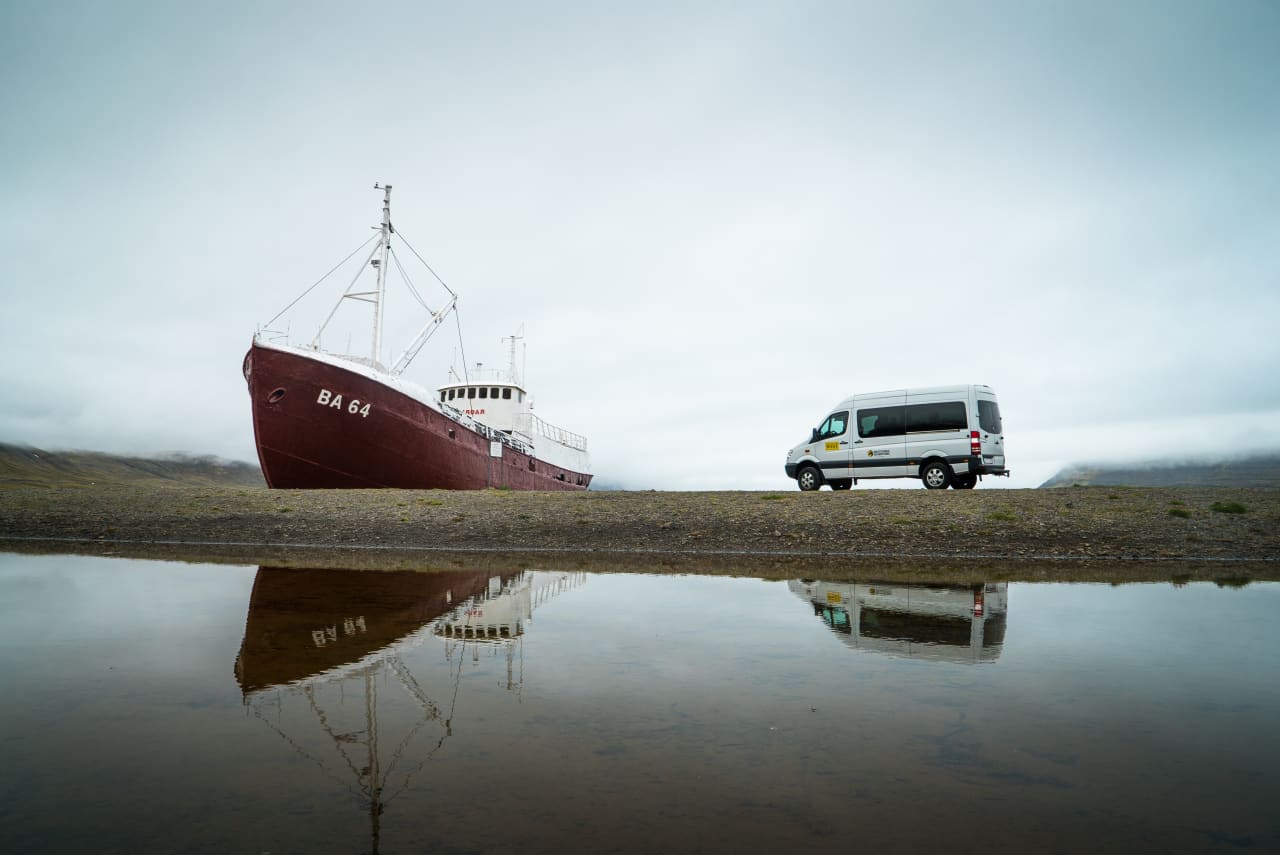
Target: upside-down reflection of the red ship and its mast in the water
[[322, 646]]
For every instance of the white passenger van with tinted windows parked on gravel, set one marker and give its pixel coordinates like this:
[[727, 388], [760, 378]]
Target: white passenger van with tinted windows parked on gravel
[[944, 436]]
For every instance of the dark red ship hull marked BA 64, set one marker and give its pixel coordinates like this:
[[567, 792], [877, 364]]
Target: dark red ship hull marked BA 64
[[322, 427]]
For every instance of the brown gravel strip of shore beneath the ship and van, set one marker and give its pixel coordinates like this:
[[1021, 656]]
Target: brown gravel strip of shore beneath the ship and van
[[1072, 533]]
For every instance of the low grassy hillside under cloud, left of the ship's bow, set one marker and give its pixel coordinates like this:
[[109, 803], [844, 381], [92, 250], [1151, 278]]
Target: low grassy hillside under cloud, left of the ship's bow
[[28, 467]]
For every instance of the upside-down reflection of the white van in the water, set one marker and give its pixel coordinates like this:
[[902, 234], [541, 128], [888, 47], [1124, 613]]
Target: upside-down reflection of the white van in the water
[[940, 623]]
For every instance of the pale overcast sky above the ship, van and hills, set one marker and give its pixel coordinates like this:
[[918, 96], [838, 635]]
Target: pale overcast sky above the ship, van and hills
[[714, 220]]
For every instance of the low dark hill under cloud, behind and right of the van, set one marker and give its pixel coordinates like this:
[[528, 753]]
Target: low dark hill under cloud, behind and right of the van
[[1263, 470]]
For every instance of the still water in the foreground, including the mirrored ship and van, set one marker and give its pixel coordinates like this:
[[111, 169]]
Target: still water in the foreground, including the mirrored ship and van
[[157, 707]]
